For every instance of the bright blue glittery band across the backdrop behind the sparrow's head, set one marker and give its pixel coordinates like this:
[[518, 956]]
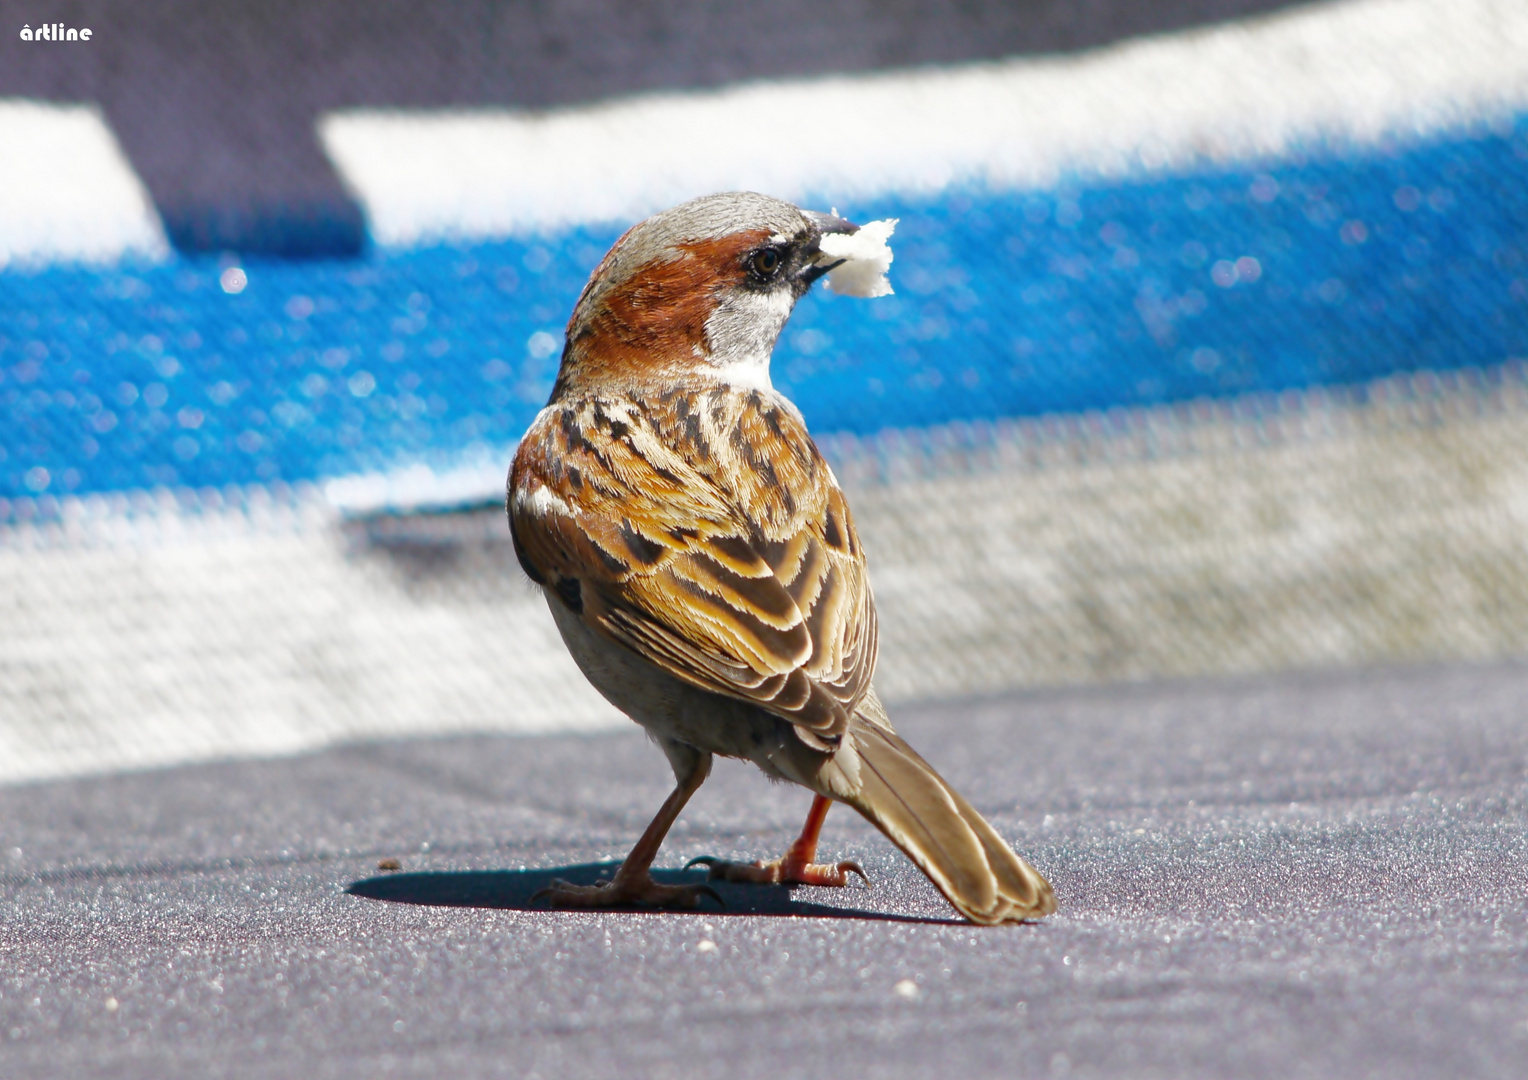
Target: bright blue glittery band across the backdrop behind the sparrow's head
[[1329, 270]]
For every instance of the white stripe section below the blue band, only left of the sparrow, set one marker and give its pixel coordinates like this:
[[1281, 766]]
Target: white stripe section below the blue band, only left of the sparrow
[[265, 629]]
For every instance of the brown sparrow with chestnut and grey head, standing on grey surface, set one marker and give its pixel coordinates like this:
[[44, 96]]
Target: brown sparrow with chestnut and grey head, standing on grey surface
[[704, 569]]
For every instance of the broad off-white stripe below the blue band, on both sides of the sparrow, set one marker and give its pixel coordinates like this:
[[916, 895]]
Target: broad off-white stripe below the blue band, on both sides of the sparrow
[[1190, 542]]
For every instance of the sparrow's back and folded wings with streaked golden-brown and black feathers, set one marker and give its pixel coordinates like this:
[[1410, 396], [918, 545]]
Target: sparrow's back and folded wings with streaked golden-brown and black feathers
[[733, 566]]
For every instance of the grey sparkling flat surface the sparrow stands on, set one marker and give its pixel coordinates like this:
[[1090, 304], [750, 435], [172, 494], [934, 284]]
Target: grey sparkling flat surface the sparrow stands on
[[1287, 878]]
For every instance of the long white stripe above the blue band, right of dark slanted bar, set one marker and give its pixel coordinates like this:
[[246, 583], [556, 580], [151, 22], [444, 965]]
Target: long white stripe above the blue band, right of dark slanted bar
[[1345, 73]]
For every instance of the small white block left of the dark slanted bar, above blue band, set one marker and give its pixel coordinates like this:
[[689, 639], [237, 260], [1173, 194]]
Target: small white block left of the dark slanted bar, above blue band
[[70, 193]]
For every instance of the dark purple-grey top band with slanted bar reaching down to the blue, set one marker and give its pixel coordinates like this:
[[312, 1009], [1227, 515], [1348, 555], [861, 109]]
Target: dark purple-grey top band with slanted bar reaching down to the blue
[[215, 103]]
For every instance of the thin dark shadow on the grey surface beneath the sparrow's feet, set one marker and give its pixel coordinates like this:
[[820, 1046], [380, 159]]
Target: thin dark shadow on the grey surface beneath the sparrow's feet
[[517, 891]]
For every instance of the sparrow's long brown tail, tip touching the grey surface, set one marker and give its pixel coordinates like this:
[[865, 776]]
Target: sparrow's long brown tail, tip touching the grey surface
[[942, 833]]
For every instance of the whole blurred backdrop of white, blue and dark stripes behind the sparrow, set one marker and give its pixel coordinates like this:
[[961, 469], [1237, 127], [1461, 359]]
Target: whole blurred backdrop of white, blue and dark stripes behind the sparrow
[[239, 363]]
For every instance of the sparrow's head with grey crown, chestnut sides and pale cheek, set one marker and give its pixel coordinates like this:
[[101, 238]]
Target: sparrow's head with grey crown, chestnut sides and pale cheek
[[704, 288]]
